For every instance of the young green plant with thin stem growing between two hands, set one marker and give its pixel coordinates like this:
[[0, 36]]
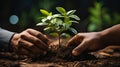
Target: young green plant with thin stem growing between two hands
[[57, 24]]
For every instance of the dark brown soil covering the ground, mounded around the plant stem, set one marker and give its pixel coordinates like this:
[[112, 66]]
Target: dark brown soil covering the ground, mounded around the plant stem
[[62, 57]]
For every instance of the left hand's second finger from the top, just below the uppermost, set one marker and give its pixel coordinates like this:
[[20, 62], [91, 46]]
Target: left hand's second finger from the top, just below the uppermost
[[37, 42]]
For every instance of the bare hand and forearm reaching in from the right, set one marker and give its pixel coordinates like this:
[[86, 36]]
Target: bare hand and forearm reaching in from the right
[[95, 40]]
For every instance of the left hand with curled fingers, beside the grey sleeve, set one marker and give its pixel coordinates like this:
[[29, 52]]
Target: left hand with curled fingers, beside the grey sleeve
[[31, 42]]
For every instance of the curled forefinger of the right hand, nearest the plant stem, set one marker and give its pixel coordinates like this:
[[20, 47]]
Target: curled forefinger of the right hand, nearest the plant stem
[[76, 40]]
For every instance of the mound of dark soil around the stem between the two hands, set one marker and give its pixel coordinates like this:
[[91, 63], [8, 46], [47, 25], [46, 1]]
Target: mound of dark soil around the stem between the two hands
[[58, 53]]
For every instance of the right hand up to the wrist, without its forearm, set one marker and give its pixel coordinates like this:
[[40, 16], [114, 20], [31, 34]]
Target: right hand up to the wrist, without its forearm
[[86, 41]]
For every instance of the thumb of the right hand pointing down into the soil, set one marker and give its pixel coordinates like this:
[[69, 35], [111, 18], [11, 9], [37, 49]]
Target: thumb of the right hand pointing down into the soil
[[80, 48]]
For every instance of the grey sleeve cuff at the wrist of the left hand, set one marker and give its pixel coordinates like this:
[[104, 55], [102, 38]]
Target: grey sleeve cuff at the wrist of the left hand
[[5, 37]]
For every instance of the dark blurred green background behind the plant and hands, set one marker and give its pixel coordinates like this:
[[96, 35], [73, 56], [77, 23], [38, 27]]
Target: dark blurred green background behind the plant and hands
[[96, 15]]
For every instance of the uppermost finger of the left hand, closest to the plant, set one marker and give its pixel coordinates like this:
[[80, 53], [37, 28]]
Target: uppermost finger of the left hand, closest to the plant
[[39, 35]]
